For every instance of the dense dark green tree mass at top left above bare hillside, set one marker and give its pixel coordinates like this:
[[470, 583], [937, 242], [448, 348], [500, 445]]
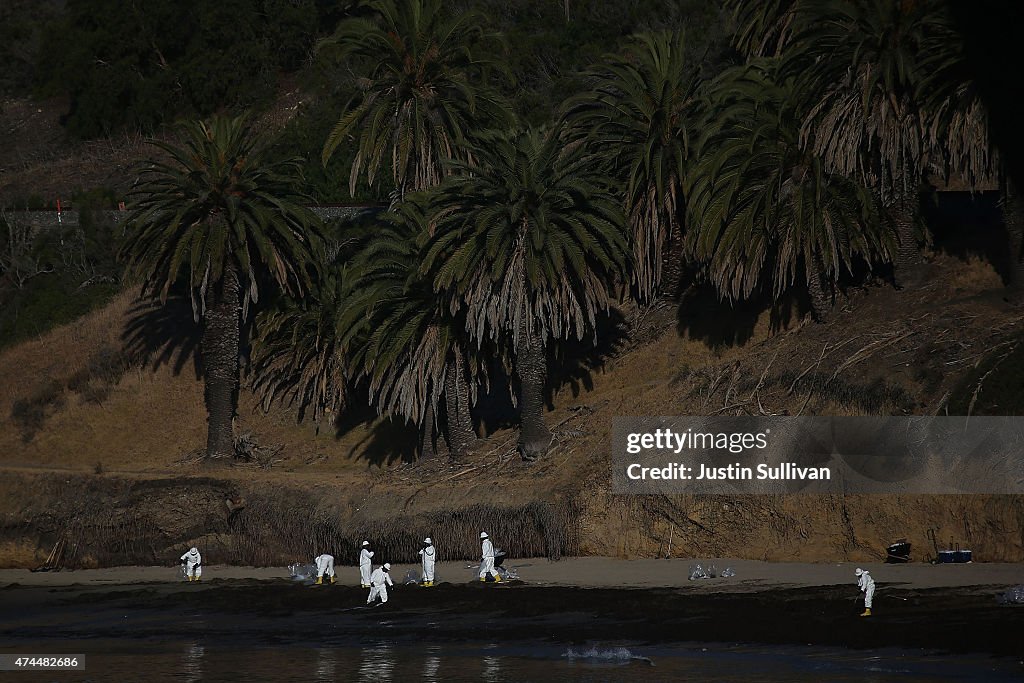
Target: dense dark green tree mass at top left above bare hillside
[[138, 65]]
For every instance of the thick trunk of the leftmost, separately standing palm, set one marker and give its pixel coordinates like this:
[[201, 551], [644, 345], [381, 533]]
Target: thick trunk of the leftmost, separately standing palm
[[222, 328]]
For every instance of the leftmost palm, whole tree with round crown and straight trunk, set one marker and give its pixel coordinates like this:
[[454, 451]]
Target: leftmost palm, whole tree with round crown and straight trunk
[[217, 216]]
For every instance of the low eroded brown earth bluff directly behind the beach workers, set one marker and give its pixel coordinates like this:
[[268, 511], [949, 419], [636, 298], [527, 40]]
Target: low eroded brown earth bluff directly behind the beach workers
[[109, 521]]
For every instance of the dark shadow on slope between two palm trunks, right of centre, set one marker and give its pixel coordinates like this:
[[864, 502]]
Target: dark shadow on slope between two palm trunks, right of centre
[[704, 317]]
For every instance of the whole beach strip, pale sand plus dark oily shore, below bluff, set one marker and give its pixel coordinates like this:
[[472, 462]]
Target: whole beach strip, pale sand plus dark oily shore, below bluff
[[575, 602]]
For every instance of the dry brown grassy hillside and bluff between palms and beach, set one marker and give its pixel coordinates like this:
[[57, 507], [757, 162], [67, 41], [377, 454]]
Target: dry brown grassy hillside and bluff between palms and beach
[[100, 449]]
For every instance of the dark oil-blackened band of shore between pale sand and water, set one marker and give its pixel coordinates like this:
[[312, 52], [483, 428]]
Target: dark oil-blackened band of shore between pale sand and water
[[280, 612]]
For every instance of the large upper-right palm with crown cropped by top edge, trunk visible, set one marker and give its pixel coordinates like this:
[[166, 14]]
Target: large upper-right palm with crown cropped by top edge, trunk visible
[[861, 62]]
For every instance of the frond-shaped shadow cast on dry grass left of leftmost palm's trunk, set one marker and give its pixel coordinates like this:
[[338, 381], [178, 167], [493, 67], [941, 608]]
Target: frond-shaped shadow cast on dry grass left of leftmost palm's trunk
[[157, 334]]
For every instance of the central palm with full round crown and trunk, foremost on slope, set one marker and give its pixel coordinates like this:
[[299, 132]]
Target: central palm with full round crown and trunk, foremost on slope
[[530, 244]]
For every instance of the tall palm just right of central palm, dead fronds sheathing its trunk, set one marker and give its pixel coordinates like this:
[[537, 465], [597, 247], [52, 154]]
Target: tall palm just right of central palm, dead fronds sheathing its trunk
[[637, 114]]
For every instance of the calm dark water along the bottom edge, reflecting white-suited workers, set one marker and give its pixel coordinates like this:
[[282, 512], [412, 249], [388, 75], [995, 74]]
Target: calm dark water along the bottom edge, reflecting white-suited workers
[[388, 662]]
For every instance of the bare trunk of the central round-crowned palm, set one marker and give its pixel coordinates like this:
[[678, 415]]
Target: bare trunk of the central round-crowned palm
[[532, 371]]
